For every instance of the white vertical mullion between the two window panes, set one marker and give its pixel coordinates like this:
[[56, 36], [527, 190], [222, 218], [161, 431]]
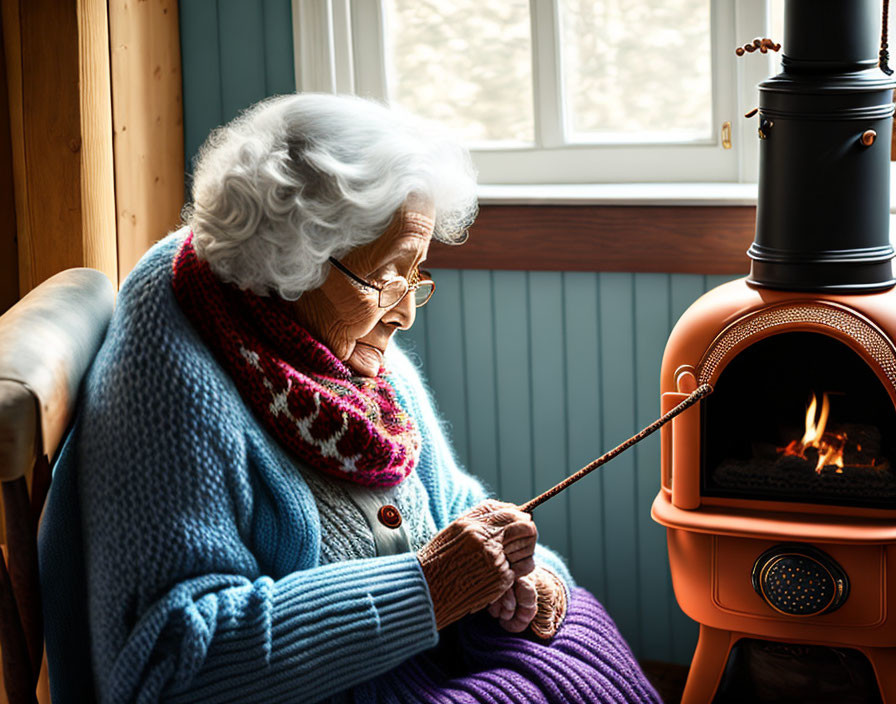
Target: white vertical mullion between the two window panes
[[547, 84]]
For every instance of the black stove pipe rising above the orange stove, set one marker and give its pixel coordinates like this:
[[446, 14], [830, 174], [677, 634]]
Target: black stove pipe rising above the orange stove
[[822, 221]]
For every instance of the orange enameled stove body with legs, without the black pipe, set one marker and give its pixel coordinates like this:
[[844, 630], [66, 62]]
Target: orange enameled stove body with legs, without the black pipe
[[724, 526]]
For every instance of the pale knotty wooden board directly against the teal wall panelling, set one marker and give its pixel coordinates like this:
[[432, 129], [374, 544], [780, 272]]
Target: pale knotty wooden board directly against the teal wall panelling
[[148, 124]]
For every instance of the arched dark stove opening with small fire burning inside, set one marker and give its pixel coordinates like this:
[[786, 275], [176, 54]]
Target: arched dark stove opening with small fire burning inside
[[800, 417]]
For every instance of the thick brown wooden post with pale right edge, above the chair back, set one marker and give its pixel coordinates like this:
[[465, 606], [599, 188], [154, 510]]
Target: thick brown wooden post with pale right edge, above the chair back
[[61, 129]]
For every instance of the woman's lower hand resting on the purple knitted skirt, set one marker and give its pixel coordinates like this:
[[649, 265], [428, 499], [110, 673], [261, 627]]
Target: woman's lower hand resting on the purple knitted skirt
[[537, 600]]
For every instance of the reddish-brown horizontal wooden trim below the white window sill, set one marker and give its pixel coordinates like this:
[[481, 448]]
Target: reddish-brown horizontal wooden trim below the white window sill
[[675, 239]]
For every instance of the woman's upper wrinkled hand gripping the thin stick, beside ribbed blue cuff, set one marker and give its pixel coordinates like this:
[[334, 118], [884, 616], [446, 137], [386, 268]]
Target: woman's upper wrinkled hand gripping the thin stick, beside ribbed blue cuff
[[477, 558]]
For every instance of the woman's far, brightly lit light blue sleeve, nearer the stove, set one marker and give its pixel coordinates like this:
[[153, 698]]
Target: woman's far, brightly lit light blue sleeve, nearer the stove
[[452, 490]]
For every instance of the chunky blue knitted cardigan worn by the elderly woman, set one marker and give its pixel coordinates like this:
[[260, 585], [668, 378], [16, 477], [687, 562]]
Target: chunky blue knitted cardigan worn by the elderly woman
[[180, 546]]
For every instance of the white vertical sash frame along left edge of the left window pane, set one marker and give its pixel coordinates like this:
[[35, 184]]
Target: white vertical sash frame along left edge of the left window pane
[[369, 55]]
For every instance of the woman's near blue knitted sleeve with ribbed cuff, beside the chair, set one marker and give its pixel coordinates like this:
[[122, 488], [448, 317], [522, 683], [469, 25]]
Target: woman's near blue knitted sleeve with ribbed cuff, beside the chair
[[201, 551]]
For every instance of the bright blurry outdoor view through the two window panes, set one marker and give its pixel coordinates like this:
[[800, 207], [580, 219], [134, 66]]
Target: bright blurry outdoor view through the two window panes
[[632, 71]]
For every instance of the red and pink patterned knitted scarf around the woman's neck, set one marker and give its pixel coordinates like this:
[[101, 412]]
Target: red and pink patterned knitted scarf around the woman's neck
[[348, 426]]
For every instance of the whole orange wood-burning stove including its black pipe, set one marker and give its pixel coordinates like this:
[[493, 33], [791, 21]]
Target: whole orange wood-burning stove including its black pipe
[[779, 490]]
